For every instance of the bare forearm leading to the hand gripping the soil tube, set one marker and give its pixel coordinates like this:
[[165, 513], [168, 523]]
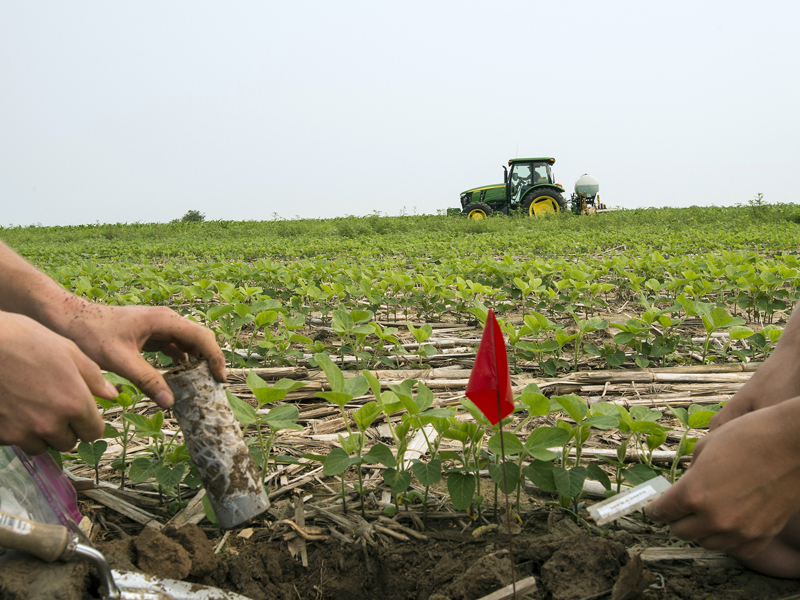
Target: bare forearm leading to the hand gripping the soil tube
[[27, 291]]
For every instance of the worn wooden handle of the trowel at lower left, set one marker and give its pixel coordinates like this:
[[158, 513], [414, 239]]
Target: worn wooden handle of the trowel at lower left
[[48, 542]]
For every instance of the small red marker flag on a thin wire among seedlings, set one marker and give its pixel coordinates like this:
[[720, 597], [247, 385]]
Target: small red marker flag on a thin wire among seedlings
[[489, 385]]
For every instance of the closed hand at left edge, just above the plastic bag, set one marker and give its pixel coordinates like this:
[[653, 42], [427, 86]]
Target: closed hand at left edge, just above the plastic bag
[[46, 388]]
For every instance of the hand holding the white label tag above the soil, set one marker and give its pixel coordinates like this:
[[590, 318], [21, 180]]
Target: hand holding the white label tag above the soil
[[744, 484]]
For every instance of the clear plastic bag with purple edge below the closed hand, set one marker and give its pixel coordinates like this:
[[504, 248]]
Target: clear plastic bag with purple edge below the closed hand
[[35, 488]]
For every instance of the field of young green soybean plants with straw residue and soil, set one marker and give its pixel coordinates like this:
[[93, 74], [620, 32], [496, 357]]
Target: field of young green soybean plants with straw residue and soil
[[350, 343]]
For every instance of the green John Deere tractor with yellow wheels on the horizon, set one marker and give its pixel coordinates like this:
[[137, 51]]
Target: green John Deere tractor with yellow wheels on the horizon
[[529, 186]]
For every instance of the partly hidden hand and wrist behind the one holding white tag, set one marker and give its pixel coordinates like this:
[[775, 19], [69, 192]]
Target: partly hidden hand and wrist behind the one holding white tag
[[778, 379]]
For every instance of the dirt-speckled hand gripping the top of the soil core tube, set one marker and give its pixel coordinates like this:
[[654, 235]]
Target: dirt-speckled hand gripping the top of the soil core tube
[[115, 336]]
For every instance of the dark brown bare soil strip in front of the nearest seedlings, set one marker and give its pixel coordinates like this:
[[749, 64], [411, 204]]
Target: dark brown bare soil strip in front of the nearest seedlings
[[568, 564]]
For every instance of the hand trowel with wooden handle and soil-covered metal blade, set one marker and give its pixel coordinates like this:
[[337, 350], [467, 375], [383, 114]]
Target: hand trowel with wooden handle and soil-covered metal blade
[[56, 542]]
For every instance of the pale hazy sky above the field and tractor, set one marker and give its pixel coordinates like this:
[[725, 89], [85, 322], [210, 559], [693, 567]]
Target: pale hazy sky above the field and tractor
[[122, 112]]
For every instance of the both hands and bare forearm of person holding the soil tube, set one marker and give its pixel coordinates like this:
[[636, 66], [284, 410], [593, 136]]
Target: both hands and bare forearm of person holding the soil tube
[[53, 345]]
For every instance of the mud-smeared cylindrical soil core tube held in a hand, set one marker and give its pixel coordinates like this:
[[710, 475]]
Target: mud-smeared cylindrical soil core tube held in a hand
[[216, 445]]
